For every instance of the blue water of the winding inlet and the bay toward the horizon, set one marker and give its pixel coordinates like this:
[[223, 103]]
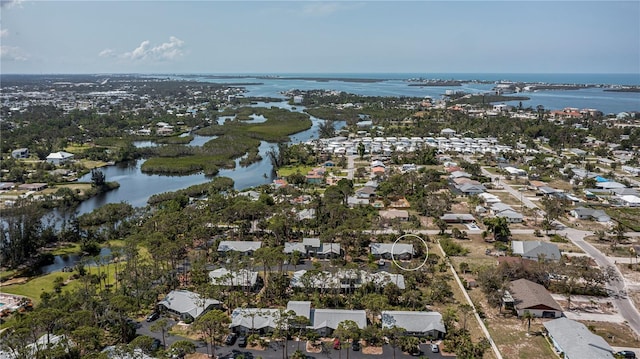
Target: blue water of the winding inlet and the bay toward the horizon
[[136, 187]]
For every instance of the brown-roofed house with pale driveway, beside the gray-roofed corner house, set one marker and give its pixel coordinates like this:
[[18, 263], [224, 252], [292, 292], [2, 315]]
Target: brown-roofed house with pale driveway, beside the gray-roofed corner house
[[527, 296]]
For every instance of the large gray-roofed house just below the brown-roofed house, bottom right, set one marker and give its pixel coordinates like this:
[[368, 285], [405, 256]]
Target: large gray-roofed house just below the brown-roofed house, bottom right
[[575, 341]]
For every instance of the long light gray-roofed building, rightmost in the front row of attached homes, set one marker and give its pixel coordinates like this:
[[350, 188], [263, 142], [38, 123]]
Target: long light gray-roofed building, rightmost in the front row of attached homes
[[427, 324]]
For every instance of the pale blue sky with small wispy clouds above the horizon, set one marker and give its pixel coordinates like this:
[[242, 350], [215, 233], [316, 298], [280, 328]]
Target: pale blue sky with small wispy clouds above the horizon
[[319, 37]]
